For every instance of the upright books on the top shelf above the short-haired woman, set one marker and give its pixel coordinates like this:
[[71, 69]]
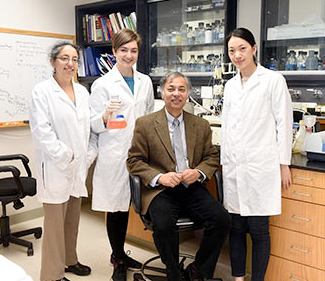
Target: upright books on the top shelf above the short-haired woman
[[97, 28]]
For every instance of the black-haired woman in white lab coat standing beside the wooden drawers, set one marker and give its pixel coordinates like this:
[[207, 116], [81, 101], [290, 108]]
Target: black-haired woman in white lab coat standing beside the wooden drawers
[[255, 152]]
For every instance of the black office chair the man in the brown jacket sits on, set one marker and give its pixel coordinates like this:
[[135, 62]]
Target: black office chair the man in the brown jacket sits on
[[183, 224]]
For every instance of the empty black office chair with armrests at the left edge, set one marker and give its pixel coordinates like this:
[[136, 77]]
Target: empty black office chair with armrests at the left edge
[[12, 189]]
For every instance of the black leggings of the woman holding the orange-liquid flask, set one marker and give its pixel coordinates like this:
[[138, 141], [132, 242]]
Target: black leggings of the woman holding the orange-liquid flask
[[116, 225]]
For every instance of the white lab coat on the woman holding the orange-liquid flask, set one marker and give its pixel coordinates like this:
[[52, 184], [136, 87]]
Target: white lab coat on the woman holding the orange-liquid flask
[[111, 188]]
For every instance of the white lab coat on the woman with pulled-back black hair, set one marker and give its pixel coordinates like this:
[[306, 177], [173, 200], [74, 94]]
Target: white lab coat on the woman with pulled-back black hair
[[256, 139]]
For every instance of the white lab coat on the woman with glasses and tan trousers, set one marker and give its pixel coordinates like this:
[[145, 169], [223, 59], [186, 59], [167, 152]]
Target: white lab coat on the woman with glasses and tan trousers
[[61, 131]]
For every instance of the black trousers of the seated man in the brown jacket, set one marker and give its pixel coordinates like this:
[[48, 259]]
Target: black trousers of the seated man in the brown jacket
[[196, 202]]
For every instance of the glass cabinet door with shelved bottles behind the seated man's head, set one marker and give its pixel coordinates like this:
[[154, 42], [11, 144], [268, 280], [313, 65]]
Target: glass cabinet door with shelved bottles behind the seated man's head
[[187, 35]]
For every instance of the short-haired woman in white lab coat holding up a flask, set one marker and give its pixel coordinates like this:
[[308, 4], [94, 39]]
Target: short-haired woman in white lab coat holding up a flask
[[111, 189]]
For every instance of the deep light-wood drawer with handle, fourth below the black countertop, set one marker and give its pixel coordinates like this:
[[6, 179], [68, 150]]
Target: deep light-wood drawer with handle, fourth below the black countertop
[[298, 247]]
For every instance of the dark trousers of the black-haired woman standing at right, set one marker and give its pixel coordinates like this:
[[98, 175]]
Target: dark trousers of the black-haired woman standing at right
[[258, 228]]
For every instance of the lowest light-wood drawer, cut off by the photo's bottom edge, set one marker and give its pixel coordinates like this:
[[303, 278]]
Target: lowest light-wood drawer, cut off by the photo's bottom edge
[[284, 270]]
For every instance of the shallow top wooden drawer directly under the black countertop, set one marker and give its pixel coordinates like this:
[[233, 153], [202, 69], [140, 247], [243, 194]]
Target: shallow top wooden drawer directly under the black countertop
[[310, 178]]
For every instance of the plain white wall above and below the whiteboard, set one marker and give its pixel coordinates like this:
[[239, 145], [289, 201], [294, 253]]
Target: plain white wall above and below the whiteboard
[[54, 16]]
